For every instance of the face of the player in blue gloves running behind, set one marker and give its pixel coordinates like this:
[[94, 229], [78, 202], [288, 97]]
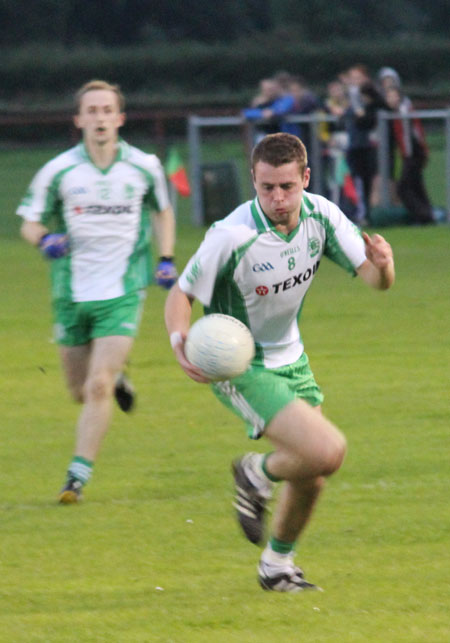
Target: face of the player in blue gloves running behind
[[99, 116]]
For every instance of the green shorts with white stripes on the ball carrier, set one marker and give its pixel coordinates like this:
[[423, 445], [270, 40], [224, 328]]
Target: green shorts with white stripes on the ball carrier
[[260, 393]]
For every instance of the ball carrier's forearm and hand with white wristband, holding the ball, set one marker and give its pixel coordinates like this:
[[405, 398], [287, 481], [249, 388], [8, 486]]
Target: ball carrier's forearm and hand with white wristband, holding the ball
[[177, 315]]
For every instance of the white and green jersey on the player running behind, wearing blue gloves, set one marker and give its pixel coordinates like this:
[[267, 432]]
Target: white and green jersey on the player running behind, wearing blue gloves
[[106, 216]]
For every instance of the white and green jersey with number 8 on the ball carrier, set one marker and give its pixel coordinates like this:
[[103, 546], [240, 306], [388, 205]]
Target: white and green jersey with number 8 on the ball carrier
[[245, 268]]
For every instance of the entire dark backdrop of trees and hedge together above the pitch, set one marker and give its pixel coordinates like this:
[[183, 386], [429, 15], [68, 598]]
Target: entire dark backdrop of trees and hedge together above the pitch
[[189, 53]]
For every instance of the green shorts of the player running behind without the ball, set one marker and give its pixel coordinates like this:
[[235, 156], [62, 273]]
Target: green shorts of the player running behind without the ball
[[76, 323]]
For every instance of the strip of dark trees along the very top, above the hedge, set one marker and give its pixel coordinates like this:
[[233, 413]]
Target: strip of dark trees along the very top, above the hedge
[[126, 22]]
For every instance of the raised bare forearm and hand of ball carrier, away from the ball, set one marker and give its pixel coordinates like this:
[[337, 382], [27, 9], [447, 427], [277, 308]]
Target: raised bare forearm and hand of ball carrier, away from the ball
[[378, 270]]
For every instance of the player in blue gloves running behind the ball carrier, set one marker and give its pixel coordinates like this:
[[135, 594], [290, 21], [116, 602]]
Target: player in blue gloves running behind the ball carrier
[[89, 212]]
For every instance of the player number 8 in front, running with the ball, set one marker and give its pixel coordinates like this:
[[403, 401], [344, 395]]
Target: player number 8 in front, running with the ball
[[257, 265]]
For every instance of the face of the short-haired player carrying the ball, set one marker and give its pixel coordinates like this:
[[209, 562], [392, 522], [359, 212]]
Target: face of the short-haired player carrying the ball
[[280, 191]]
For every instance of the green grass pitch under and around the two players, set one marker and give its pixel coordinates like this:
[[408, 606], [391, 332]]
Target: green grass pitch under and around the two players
[[154, 554]]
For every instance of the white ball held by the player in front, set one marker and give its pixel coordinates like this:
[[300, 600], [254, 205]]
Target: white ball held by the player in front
[[220, 345]]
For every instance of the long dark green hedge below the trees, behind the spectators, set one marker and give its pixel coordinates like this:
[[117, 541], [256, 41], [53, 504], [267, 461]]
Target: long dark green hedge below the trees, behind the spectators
[[192, 72]]
